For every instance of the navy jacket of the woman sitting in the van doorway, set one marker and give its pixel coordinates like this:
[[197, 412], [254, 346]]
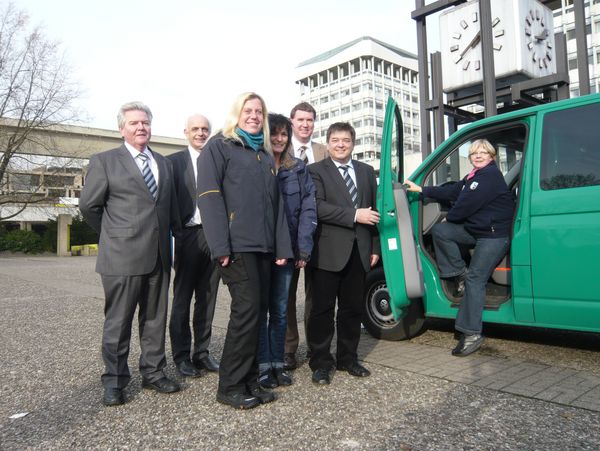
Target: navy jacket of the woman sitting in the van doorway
[[484, 204]]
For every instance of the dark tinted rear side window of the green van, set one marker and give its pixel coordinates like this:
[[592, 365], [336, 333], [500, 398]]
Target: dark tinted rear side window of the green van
[[570, 154]]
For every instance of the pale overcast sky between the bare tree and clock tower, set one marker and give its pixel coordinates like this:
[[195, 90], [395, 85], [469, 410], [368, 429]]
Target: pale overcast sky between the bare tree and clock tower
[[186, 56]]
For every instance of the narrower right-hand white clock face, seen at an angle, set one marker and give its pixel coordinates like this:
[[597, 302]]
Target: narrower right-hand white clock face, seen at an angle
[[538, 35]]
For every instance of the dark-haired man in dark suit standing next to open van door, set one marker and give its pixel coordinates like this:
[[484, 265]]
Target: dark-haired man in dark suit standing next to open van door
[[346, 247]]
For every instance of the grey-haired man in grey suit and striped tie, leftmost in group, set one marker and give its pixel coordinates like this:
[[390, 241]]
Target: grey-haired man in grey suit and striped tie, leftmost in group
[[129, 199]]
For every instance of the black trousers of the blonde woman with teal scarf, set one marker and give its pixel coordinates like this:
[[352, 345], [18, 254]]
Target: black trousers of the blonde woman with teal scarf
[[248, 277]]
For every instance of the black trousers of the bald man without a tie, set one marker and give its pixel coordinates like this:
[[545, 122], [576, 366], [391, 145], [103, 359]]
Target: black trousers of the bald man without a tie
[[195, 275]]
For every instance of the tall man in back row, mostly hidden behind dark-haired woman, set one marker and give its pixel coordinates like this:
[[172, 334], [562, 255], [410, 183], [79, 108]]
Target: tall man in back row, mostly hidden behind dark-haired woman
[[303, 118]]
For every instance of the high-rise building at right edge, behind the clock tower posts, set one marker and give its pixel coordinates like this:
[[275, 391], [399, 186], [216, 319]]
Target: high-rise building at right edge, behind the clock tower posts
[[564, 20]]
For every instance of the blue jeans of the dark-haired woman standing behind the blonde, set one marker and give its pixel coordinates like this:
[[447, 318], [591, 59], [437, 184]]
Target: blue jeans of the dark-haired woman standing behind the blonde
[[271, 338]]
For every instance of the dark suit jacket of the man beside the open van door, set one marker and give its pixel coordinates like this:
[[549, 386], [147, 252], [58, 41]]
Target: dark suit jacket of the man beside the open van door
[[336, 230]]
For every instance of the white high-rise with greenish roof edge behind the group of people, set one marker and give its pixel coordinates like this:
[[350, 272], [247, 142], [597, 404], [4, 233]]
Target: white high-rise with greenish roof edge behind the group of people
[[351, 83]]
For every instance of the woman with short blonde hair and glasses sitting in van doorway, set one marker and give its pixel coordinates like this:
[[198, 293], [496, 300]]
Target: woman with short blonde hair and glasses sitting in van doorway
[[480, 219]]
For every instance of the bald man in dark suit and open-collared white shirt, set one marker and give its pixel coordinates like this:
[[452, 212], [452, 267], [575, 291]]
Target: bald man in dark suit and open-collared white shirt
[[195, 271]]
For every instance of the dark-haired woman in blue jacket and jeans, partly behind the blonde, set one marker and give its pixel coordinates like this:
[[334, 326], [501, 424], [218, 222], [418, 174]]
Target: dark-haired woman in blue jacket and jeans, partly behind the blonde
[[298, 193]]
